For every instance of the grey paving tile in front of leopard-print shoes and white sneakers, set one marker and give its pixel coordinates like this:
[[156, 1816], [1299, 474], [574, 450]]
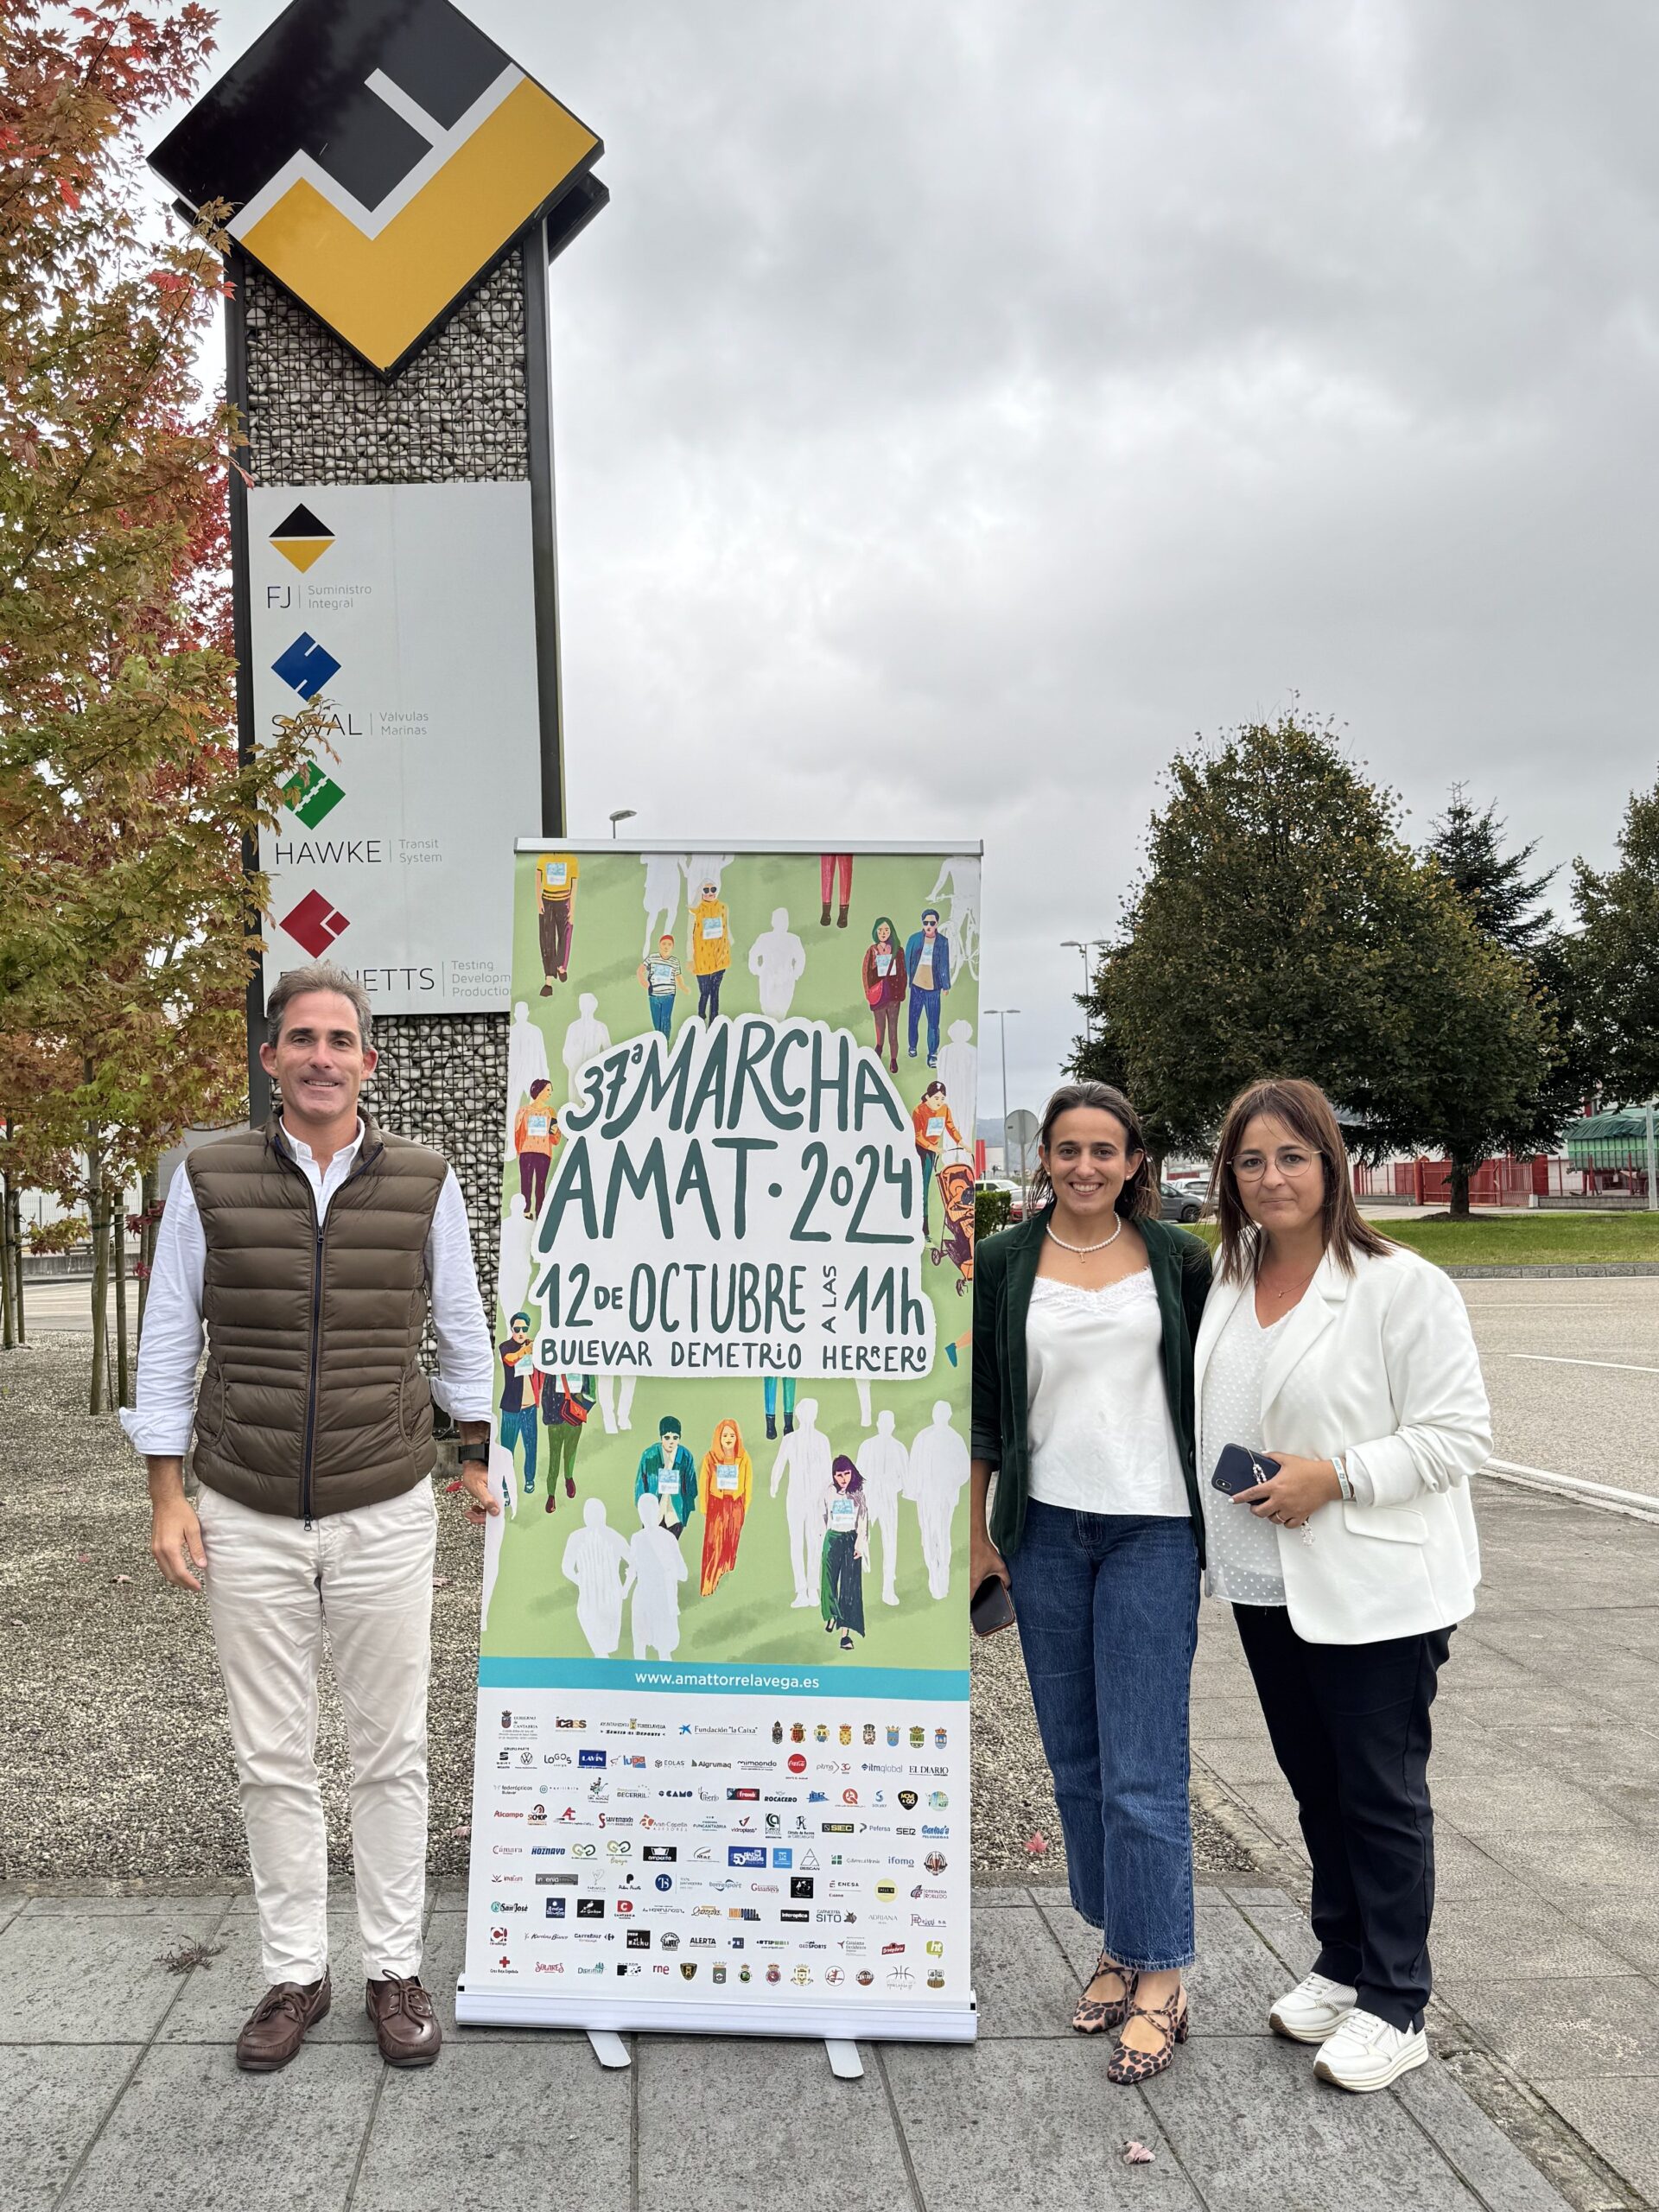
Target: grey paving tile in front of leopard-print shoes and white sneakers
[[1260, 2133]]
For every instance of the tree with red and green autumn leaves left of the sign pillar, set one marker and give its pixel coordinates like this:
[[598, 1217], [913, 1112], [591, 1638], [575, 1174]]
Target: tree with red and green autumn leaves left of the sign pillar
[[125, 917]]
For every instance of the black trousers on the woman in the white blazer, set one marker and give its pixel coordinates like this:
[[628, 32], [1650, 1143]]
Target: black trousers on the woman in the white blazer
[[1350, 1729]]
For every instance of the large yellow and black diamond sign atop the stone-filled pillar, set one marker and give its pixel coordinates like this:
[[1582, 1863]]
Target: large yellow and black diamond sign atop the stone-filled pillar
[[379, 156]]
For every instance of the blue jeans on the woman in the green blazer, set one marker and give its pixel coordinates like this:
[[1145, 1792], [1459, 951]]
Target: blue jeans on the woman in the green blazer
[[1109, 1620]]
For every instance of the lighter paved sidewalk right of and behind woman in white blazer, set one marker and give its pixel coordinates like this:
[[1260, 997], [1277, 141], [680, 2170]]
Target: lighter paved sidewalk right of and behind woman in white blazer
[[1547, 1833]]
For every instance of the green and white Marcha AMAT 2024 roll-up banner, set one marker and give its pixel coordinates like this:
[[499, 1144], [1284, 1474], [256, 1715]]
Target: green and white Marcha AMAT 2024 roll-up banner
[[722, 1771]]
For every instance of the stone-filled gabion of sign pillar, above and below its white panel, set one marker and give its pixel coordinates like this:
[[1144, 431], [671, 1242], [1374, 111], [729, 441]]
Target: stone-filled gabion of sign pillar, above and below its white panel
[[457, 415]]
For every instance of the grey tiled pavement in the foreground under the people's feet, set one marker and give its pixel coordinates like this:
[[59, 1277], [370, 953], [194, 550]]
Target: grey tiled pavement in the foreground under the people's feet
[[118, 2089]]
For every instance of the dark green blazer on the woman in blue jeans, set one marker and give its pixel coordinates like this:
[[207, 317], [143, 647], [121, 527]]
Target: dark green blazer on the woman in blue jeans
[[1003, 1275]]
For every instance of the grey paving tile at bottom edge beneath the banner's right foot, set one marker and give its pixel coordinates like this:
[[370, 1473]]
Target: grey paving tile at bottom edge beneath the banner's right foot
[[740, 2127]]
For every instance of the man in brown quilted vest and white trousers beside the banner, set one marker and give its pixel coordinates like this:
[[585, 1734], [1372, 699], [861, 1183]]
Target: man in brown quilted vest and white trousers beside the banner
[[309, 1253]]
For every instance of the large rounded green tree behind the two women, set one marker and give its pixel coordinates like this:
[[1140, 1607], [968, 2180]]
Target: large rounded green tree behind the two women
[[1284, 928]]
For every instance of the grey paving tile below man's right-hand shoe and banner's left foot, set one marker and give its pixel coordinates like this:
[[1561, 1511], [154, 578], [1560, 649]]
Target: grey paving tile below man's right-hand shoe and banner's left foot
[[488, 2129]]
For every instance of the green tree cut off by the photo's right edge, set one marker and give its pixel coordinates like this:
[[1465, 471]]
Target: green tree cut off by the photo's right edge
[[1616, 957]]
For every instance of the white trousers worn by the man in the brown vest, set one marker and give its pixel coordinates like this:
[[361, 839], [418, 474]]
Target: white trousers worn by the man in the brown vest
[[273, 1589]]
